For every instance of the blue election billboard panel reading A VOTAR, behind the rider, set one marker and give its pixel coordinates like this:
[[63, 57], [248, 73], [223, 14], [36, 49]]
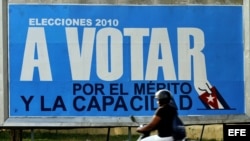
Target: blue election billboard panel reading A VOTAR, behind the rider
[[108, 60]]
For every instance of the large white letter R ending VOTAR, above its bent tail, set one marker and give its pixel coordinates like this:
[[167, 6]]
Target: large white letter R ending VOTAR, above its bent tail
[[190, 46]]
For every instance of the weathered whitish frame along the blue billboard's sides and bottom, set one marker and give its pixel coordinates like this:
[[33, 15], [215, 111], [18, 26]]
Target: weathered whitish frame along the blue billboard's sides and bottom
[[6, 121]]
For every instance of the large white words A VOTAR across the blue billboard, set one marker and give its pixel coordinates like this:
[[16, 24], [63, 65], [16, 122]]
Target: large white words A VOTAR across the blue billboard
[[109, 46]]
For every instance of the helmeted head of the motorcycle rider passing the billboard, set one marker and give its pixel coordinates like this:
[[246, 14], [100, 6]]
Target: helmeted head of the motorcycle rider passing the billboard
[[163, 96]]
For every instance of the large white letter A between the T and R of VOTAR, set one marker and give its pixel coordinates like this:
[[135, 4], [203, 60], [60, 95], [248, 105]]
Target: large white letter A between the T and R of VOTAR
[[160, 56]]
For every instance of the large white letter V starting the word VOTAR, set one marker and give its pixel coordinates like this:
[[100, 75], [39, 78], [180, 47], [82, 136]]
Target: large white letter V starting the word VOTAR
[[80, 59]]
